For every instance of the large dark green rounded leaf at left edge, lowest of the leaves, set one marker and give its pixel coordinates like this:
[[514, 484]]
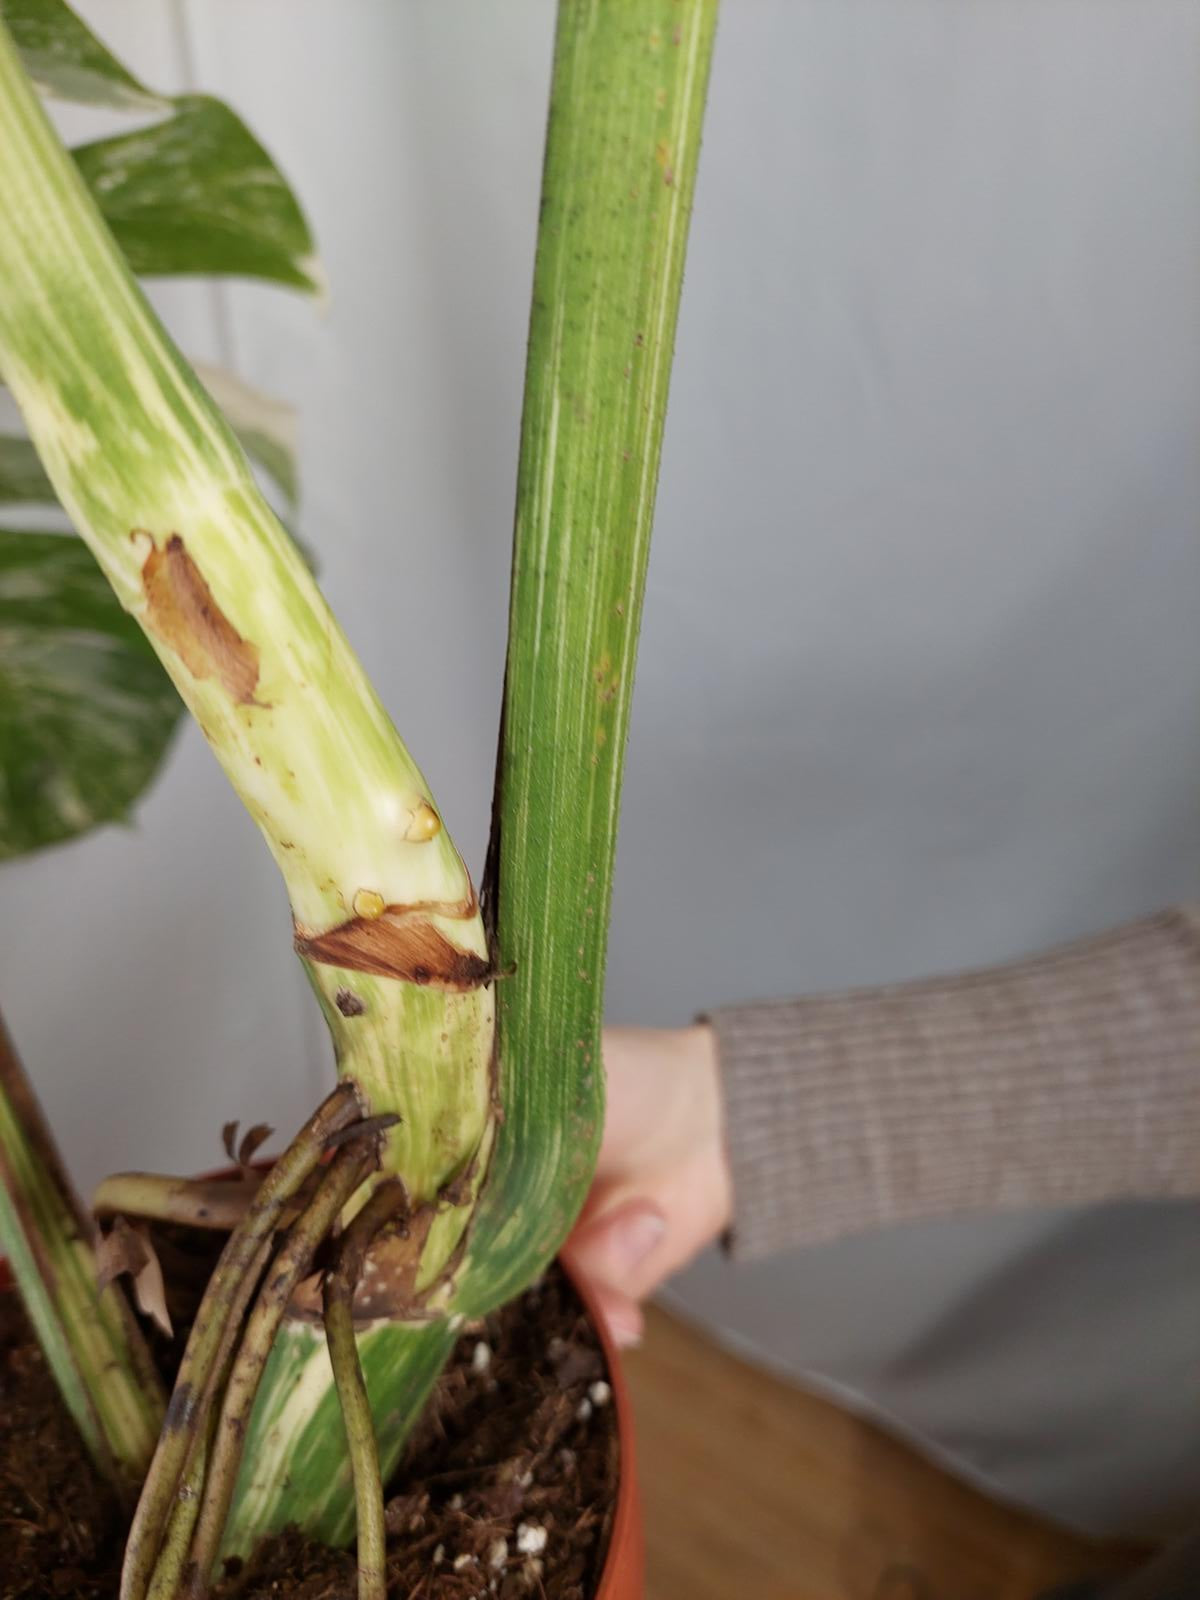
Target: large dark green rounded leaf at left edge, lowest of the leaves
[[86, 710]]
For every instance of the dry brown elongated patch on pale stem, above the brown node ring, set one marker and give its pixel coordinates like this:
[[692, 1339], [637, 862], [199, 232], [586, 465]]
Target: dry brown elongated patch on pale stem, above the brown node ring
[[183, 614]]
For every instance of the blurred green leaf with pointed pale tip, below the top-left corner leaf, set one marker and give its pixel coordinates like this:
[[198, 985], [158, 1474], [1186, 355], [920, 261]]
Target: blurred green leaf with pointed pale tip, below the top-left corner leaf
[[198, 193]]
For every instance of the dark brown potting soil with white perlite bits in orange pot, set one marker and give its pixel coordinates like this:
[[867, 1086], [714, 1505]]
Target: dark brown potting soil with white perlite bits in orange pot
[[506, 1489]]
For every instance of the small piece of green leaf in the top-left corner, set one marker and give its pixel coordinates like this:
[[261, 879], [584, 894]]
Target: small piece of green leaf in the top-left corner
[[66, 60]]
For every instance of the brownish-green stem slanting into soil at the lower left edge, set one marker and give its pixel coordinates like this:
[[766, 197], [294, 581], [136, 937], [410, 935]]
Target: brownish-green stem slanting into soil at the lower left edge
[[89, 1335]]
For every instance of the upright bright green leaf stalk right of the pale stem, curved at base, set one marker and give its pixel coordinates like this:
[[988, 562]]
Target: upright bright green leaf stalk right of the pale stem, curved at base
[[622, 159]]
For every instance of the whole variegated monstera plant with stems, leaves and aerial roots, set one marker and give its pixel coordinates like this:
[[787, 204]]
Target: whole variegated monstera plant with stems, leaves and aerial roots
[[460, 1138]]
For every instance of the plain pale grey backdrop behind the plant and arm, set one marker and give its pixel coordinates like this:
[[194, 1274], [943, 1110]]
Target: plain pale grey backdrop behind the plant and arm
[[921, 671]]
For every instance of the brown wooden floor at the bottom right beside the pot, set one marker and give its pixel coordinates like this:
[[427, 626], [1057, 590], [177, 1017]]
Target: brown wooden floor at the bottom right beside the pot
[[759, 1492]]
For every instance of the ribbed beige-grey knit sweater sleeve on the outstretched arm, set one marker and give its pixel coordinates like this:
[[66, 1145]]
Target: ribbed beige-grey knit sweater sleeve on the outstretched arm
[[1066, 1079]]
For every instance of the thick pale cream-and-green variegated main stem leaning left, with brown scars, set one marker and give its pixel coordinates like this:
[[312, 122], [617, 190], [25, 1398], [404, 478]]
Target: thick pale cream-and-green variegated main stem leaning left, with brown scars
[[385, 914]]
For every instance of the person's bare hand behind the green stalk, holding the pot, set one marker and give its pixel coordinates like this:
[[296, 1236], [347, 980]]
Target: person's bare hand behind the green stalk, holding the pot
[[663, 1188]]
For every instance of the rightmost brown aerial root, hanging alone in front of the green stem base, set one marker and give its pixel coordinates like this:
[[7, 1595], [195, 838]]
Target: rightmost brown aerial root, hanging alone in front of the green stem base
[[338, 1302]]
